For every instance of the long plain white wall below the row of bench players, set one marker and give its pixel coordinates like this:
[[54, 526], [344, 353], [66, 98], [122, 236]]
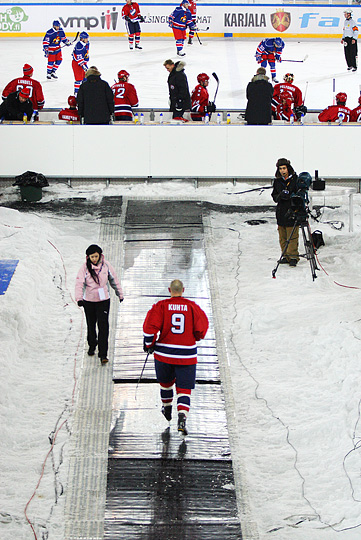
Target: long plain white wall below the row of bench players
[[172, 151]]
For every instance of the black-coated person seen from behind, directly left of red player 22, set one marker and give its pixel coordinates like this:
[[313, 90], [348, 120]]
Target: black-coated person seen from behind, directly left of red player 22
[[95, 99]]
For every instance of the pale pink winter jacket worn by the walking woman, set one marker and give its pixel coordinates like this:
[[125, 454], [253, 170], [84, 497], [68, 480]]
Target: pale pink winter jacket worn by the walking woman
[[87, 289]]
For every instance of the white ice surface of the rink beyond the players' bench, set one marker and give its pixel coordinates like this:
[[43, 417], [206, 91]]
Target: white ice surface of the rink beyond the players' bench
[[232, 59]]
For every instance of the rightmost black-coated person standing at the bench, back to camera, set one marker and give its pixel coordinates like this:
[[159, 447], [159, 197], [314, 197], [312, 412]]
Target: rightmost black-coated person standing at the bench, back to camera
[[259, 95]]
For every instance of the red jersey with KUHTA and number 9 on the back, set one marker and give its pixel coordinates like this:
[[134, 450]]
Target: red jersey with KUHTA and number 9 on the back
[[180, 322]]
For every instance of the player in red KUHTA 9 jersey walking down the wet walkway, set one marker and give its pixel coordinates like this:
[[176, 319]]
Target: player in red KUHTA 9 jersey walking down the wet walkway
[[171, 329]]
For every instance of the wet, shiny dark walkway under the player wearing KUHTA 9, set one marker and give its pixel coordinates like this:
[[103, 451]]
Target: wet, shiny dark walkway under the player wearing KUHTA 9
[[160, 487]]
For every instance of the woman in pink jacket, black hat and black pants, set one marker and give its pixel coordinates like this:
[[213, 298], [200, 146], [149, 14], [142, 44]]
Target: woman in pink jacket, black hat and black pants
[[92, 293]]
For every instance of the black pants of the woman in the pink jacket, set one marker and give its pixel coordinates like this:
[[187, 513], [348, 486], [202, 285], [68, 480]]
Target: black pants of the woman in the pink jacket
[[97, 313]]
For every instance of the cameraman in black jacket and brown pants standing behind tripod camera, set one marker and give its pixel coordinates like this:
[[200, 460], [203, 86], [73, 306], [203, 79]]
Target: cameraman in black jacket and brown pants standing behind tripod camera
[[285, 183]]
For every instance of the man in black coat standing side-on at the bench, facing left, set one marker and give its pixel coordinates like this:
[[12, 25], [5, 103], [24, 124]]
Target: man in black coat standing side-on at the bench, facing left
[[179, 96]]
